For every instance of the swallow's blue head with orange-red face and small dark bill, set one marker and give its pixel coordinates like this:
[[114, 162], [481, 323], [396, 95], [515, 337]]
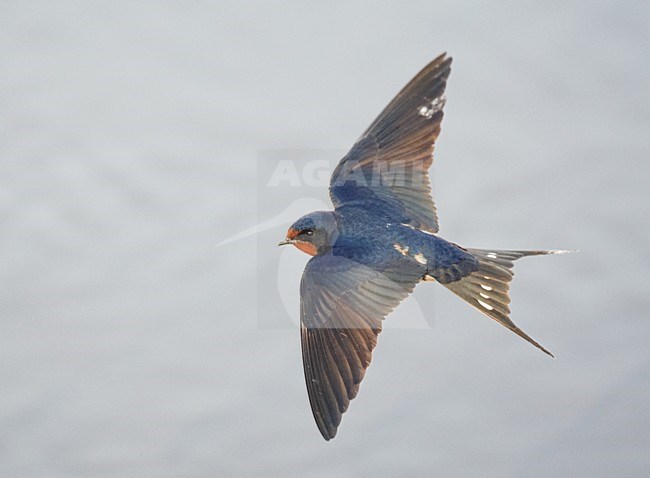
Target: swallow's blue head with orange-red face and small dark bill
[[313, 233]]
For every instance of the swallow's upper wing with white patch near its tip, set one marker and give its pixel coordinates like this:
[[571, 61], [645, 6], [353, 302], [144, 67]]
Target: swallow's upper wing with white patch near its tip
[[389, 163]]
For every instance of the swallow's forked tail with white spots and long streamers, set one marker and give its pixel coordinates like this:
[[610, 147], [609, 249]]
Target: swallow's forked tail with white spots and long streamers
[[487, 288]]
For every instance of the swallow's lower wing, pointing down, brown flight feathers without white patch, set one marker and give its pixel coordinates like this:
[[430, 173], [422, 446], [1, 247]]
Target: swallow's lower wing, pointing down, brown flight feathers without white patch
[[342, 304]]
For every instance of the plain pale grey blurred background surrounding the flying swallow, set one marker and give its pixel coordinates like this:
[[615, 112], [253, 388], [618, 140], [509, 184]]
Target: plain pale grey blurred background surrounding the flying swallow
[[130, 145]]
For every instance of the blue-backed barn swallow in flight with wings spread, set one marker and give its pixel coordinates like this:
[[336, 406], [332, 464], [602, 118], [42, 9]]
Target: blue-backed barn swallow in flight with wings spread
[[379, 242]]
